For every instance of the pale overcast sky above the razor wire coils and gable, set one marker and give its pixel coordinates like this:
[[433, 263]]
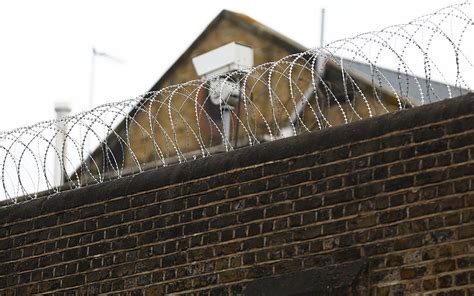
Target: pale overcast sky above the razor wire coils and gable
[[45, 47]]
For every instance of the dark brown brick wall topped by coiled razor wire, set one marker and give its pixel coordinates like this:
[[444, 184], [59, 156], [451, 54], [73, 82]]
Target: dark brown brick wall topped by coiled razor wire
[[383, 207]]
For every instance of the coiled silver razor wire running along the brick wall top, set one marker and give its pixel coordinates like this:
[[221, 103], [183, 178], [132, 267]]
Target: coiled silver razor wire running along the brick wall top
[[339, 83]]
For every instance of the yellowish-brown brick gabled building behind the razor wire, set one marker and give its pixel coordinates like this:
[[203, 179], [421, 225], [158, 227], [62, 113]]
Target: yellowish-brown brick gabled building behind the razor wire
[[153, 133]]
